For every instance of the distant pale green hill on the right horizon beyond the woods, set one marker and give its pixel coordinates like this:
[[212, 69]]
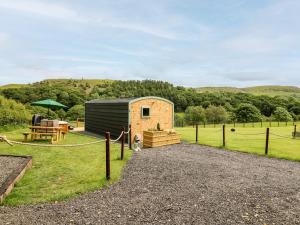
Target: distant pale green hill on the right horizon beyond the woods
[[257, 90]]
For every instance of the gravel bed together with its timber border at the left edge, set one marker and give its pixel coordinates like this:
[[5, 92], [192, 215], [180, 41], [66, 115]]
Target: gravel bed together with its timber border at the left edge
[[12, 168]]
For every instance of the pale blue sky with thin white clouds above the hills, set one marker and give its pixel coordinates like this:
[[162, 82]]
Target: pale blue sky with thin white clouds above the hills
[[190, 43]]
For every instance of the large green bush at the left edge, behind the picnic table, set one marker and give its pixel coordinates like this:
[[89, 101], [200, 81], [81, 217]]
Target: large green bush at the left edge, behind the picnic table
[[13, 113]]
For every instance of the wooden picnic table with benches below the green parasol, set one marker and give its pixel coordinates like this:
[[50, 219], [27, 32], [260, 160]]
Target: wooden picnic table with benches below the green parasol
[[42, 132]]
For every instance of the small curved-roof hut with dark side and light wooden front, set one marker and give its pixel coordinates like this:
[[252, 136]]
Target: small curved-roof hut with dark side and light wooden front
[[102, 115]]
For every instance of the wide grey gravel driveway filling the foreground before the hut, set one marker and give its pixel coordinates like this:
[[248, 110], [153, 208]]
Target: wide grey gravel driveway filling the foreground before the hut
[[182, 184]]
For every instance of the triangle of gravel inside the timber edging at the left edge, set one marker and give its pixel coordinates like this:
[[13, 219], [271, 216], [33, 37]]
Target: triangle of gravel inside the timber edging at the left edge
[[8, 165]]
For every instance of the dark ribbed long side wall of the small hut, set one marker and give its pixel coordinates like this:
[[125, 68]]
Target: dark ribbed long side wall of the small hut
[[103, 117]]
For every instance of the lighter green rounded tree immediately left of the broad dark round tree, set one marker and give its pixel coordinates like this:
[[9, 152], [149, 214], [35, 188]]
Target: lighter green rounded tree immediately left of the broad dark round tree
[[216, 114]]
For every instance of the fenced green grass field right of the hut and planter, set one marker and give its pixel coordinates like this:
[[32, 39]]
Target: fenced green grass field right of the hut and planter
[[248, 139]]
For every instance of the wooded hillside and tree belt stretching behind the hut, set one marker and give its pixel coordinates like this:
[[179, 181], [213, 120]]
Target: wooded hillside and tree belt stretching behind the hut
[[73, 93]]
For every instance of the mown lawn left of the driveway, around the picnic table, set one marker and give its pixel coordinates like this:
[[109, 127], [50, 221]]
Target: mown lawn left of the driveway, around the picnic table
[[60, 172]]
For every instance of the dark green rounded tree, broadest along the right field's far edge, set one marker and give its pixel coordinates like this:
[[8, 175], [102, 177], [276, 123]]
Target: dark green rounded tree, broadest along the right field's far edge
[[246, 112]]
